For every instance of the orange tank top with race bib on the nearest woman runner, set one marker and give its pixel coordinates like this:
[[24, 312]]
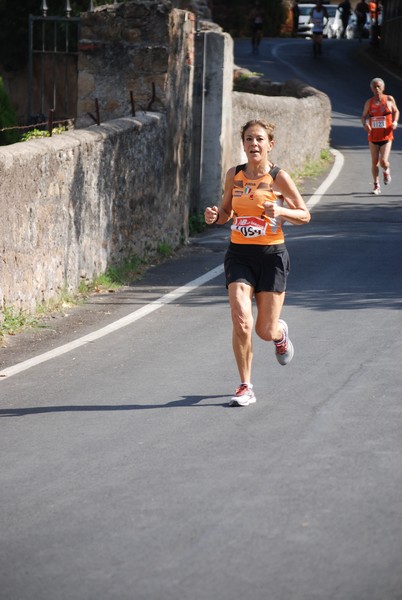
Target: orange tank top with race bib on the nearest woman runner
[[250, 223]]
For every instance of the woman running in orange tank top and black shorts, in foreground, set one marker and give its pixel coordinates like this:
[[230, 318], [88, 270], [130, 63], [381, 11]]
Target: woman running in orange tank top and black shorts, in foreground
[[257, 198]]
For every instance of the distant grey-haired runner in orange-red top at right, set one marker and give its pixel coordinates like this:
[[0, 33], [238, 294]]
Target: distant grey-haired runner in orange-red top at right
[[380, 119]]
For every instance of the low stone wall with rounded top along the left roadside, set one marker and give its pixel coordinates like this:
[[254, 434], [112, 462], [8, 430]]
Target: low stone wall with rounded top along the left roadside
[[75, 203]]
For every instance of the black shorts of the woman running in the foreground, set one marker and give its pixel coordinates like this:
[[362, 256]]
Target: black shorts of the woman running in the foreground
[[265, 268]]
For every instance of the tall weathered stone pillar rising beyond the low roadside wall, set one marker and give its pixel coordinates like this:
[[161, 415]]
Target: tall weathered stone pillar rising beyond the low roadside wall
[[144, 47]]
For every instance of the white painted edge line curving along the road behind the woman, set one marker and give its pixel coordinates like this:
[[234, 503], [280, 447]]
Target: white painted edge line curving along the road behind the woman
[[155, 304]]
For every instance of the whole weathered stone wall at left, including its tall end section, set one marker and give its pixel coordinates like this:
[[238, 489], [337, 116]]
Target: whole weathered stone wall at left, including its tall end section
[[76, 203]]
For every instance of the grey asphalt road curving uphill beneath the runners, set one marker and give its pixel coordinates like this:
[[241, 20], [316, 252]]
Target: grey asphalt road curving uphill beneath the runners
[[125, 476]]
